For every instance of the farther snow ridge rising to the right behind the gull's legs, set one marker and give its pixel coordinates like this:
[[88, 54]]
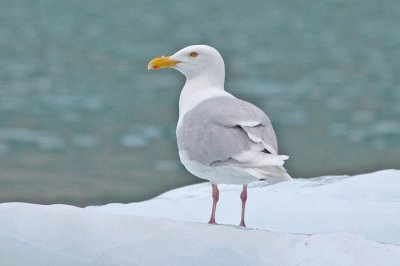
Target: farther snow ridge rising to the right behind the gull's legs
[[367, 205]]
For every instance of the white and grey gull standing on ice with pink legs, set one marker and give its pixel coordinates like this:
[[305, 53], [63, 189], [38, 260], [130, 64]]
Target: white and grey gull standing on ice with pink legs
[[220, 138]]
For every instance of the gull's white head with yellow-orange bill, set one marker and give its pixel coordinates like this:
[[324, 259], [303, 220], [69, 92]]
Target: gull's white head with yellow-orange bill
[[195, 62]]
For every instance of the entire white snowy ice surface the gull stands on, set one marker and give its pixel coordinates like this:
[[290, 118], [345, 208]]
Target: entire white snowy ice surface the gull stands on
[[332, 220]]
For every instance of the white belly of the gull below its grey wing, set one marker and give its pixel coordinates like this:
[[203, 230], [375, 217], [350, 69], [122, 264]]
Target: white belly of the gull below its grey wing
[[220, 174]]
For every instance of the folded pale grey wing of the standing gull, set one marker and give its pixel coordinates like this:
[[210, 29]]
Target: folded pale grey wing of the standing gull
[[222, 128]]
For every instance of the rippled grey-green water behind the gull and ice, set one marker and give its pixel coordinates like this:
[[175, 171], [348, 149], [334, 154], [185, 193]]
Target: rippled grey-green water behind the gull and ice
[[82, 121]]
